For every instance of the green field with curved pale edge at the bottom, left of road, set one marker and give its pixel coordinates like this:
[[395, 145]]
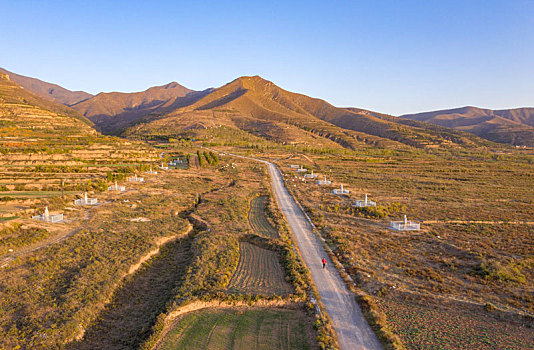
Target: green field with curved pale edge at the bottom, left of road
[[241, 328]]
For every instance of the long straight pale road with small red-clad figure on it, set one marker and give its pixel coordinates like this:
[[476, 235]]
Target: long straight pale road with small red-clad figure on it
[[352, 329]]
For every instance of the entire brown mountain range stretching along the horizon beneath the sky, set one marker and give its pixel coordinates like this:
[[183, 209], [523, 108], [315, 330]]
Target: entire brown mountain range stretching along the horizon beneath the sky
[[257, 105]]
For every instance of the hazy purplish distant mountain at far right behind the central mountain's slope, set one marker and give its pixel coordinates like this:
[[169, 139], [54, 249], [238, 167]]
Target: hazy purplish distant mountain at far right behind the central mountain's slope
[[511, 126]]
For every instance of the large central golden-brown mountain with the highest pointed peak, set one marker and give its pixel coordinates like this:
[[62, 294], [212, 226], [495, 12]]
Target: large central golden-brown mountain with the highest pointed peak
[[260, 107]]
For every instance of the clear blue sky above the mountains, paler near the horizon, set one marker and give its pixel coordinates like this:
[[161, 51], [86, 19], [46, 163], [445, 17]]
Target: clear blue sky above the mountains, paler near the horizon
[[389, 56]]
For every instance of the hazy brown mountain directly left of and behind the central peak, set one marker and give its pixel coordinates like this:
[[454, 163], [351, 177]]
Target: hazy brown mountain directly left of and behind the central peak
[[115, 110]]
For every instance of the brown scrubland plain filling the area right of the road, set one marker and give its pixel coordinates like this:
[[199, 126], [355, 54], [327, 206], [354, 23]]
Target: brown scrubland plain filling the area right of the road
[[463, 280]]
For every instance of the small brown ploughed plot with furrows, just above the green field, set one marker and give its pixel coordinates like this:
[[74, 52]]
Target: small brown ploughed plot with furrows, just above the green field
[[258, 272]]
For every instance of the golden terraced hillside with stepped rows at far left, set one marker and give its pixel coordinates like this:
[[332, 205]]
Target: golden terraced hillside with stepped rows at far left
[[44, 151]]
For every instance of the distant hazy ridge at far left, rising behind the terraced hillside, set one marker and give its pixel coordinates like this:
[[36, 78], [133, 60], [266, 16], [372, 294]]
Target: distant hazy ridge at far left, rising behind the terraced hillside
[[49, 91]]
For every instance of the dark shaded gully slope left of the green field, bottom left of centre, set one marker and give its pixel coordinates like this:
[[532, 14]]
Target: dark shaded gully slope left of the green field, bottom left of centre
[[128, 319]]
